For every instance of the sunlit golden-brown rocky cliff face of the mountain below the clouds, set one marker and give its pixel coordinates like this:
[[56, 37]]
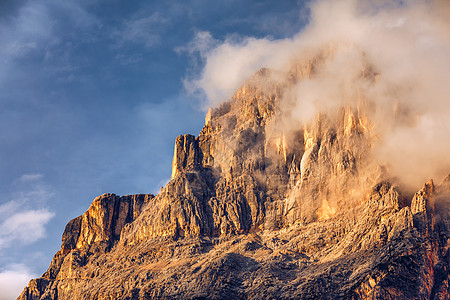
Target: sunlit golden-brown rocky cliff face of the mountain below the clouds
[[258, 208]]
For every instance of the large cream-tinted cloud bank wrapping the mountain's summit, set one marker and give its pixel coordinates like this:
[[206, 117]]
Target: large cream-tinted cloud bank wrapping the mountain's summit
[[405, 45]]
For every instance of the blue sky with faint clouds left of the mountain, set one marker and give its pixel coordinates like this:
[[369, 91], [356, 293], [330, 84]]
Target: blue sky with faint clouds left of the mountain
[[92, 97]]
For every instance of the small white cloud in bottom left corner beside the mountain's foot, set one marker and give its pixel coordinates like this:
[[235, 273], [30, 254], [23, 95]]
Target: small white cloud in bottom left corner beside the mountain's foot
[[13, 279]]
